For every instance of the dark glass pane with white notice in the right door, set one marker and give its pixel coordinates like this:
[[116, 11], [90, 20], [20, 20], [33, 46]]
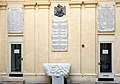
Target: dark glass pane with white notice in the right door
[[105, 57]]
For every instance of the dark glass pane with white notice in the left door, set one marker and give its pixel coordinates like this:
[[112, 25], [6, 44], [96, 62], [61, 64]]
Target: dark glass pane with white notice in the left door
[[15, 57]]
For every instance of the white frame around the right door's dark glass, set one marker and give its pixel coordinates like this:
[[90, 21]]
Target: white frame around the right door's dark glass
[[106, 39]]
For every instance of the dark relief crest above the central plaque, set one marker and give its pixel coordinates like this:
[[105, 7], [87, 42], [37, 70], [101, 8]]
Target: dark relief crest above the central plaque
[[59, 10]]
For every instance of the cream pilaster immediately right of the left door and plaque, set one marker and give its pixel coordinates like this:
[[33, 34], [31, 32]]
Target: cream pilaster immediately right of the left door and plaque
[[29, 40]]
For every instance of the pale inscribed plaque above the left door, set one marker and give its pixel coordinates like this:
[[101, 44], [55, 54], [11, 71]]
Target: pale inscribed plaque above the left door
[[15, 20]]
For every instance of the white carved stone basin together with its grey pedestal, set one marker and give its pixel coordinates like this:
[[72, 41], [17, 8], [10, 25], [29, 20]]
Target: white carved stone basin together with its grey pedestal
[[57, 70]]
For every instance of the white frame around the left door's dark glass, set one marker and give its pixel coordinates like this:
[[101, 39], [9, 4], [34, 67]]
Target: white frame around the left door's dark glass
[[14, 40]]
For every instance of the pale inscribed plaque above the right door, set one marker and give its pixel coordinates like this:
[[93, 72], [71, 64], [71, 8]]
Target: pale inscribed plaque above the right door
[[106, 17]]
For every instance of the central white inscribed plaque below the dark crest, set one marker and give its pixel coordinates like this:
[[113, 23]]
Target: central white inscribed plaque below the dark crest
[[59, 35]]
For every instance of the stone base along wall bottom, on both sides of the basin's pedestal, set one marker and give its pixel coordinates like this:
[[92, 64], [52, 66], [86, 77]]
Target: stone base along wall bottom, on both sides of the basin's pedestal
[[47, 80]]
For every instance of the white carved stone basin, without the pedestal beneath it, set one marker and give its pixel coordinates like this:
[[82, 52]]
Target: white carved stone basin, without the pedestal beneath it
[[56, 69]]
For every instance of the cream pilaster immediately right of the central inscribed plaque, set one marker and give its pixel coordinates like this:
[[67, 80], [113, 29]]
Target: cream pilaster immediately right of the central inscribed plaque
[[75, 43]]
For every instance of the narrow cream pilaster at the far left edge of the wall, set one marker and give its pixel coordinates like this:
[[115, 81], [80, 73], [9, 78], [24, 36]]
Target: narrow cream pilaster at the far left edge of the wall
[[3, 39]]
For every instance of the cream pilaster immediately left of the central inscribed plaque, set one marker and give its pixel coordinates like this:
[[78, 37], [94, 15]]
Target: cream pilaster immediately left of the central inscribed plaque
[[43, 35]]
